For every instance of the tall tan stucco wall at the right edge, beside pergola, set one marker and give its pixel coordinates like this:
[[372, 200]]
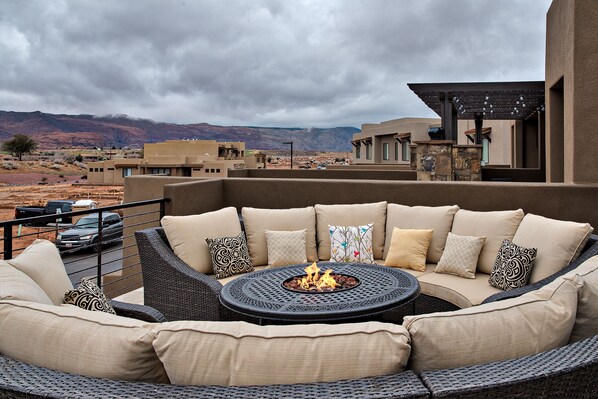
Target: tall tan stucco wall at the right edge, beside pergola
[[571, 58]]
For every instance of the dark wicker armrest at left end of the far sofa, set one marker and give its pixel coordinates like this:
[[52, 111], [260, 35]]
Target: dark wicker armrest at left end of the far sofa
[[173, 287]]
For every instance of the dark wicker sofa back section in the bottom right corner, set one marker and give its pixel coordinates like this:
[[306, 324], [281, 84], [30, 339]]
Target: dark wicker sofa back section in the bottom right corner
[[568, 371]]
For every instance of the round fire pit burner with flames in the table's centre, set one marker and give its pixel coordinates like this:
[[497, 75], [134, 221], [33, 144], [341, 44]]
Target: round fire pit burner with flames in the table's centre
[[314, 283]]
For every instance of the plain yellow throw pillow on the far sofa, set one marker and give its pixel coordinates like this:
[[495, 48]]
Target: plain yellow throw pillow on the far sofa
[[408, 248]]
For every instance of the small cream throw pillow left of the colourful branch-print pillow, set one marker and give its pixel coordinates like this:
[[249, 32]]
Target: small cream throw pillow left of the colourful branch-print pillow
[[286, 247]]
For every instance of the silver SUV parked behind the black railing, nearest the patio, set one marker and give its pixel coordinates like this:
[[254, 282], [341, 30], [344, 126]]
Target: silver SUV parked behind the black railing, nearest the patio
[[85, 233]]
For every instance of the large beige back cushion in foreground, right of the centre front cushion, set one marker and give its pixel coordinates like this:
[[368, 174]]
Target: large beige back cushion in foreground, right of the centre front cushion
[[532, 323]]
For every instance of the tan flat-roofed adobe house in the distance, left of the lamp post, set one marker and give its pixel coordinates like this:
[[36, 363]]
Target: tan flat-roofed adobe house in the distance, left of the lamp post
[[190, 158]]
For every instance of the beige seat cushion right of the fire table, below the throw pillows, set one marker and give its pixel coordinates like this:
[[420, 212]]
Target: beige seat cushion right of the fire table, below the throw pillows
[[459, 291]]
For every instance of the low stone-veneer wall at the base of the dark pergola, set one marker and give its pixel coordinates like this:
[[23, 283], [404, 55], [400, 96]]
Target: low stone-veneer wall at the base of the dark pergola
[[442, 160]]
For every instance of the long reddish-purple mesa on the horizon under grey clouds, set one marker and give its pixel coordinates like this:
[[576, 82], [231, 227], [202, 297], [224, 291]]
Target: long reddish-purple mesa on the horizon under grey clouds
[[55, 131]]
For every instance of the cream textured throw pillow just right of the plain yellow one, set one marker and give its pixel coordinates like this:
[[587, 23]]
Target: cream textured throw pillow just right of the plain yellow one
[[460, 256]]
